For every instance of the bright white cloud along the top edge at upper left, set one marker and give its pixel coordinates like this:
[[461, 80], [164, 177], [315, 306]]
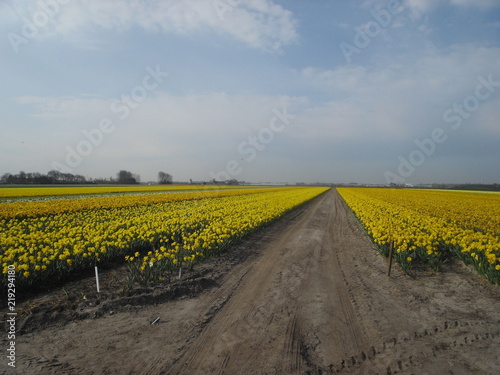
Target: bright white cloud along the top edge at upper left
[[260, 24]]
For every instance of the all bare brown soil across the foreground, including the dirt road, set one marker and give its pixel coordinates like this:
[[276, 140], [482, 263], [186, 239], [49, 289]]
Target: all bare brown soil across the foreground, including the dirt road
[[307, 295]]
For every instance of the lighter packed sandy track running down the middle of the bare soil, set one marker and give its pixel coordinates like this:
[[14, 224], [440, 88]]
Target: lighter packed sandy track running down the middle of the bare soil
[[291, 308]]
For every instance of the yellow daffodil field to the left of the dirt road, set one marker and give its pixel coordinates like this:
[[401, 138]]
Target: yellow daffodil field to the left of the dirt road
[[155, 234]]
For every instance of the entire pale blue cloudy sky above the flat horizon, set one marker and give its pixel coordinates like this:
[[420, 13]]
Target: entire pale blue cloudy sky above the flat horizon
[[279, 91]]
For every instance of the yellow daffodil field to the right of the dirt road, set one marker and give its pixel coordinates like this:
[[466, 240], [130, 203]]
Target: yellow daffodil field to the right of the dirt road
[[431, 226]]
